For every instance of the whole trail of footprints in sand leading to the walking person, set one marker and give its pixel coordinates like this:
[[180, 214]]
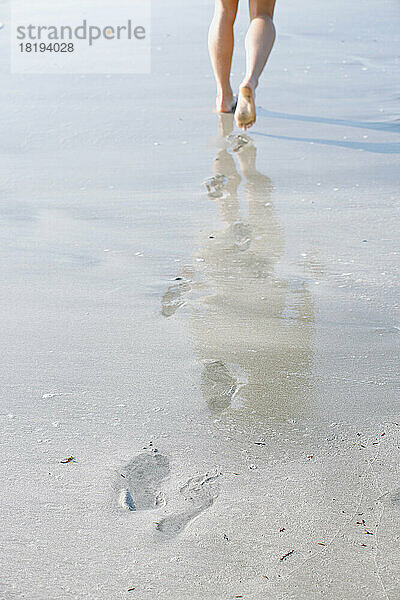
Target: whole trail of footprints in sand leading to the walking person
[[139, 485]]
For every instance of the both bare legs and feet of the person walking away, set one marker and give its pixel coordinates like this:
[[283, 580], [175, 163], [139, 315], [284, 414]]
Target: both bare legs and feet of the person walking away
[[260, 39]]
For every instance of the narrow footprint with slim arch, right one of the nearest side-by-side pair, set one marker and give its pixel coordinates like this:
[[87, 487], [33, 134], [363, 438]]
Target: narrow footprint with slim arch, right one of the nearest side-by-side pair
[[199, 494]]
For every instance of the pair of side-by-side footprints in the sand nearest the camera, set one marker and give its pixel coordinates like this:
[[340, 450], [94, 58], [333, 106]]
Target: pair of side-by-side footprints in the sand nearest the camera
[[139, 487]]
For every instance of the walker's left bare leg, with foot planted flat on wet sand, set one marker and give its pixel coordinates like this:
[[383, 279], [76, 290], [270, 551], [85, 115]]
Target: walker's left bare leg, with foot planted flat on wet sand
[[220, 45]]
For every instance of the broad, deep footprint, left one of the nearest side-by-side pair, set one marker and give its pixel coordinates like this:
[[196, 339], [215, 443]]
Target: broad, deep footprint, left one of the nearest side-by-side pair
[[139, 482]]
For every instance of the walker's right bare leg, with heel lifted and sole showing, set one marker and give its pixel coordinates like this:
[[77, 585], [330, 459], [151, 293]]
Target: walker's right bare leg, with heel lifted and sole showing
[[259, 41]]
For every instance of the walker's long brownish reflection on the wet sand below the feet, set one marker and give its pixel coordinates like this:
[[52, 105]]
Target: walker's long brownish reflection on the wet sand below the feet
[[252, 329]]
